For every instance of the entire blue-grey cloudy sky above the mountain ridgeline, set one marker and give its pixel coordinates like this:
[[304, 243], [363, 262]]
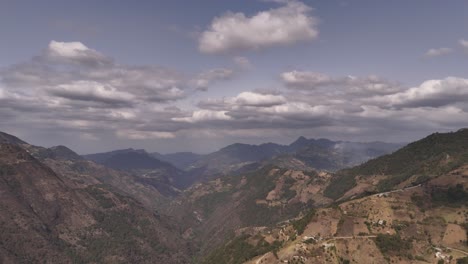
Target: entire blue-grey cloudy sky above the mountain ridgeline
[[171, 76]]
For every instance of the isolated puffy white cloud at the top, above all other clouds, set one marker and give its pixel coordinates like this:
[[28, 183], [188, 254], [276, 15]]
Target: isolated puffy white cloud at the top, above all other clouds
[[288, 24]]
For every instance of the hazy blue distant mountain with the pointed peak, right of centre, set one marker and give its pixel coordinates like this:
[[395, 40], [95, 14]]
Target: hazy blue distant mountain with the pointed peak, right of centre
[[321, 154]]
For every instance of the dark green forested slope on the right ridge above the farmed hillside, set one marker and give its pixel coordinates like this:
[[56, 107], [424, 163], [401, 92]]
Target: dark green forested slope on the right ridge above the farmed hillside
[[434, 155]]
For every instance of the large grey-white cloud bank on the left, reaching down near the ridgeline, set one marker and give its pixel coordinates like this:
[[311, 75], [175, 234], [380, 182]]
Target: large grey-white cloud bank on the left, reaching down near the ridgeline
[[69, 88]]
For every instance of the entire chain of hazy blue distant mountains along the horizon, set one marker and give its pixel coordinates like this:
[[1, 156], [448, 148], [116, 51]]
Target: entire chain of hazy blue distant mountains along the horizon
[[182, 169]]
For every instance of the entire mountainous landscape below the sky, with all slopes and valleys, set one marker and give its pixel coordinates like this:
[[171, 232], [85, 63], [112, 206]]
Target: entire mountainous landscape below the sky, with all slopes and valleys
[[313, 201]]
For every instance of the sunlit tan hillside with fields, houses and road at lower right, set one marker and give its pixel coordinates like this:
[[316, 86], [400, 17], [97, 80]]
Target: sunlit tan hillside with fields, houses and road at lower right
[[410, 226]]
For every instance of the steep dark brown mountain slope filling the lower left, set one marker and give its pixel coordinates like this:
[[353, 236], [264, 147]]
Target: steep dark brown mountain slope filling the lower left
[[54, 219]]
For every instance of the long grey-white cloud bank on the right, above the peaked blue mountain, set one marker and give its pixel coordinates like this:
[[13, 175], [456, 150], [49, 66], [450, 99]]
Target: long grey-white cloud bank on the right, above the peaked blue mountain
[[345, 106]]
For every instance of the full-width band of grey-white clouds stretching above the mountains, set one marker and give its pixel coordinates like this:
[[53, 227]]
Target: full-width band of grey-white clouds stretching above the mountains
[[85, 95]]
